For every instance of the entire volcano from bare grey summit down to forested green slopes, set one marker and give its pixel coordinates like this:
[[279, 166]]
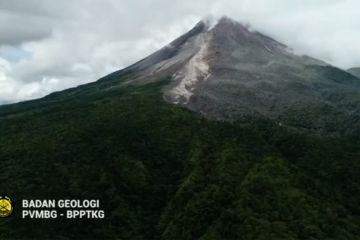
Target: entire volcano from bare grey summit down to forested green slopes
[[224, 133]]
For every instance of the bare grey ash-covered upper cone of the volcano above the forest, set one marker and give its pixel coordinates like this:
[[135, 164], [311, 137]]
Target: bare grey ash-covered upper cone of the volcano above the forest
[[225, 71]]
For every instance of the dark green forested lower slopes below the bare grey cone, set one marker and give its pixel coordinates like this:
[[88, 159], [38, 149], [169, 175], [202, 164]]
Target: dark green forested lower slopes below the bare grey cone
[[163, 172]]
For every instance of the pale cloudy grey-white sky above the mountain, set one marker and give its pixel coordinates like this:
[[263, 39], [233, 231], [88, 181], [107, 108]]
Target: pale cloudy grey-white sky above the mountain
[[47, 46]]
